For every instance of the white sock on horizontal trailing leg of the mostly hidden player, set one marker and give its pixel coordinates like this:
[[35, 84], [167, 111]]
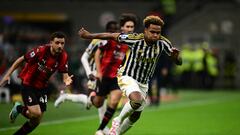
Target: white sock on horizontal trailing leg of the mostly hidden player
[[80, 98]]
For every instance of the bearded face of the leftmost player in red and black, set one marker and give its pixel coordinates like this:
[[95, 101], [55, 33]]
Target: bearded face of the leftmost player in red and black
[[57, 45]]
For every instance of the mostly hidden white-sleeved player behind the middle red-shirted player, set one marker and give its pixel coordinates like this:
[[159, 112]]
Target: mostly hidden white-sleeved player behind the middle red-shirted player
[[89, 65]]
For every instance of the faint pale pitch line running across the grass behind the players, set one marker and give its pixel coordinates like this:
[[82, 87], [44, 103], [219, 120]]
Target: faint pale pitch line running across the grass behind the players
[[168, 107]]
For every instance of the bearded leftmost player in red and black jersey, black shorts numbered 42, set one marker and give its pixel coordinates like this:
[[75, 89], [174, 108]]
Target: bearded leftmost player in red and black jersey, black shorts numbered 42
[[41, 63]]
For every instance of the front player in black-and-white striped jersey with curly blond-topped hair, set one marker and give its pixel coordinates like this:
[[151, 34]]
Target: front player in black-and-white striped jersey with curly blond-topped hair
[[139, 66]]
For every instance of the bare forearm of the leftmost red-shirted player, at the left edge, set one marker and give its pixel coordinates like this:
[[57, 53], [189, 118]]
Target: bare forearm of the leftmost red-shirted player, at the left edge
[[15, 65]]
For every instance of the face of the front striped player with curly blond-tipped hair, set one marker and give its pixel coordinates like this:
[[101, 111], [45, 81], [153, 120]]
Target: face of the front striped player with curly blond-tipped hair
[[152, 33]]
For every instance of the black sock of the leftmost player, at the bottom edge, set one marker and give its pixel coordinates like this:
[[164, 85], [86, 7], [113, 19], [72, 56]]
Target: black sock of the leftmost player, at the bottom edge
[[25, 129]]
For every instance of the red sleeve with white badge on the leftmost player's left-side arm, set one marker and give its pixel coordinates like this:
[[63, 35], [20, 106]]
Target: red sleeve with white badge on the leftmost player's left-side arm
[[32, 55]]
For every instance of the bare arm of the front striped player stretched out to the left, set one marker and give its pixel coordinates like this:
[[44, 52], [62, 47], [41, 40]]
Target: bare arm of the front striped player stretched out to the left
[[87, 35]]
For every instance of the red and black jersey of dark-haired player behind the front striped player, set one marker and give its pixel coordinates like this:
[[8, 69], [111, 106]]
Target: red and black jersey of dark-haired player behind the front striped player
[[113, 54]]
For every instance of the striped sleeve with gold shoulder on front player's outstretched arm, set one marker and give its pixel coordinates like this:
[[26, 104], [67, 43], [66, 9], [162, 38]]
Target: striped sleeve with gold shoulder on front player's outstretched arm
[[130, 39]]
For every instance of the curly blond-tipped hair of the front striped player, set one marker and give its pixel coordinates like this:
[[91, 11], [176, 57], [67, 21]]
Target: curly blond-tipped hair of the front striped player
[[152, 20]]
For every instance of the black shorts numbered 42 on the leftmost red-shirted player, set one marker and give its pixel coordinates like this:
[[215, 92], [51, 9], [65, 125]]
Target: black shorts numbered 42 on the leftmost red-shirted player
[[32, 96]]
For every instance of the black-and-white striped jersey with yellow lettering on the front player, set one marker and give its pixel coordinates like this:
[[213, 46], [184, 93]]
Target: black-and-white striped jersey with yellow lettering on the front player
[[141, 60]]
